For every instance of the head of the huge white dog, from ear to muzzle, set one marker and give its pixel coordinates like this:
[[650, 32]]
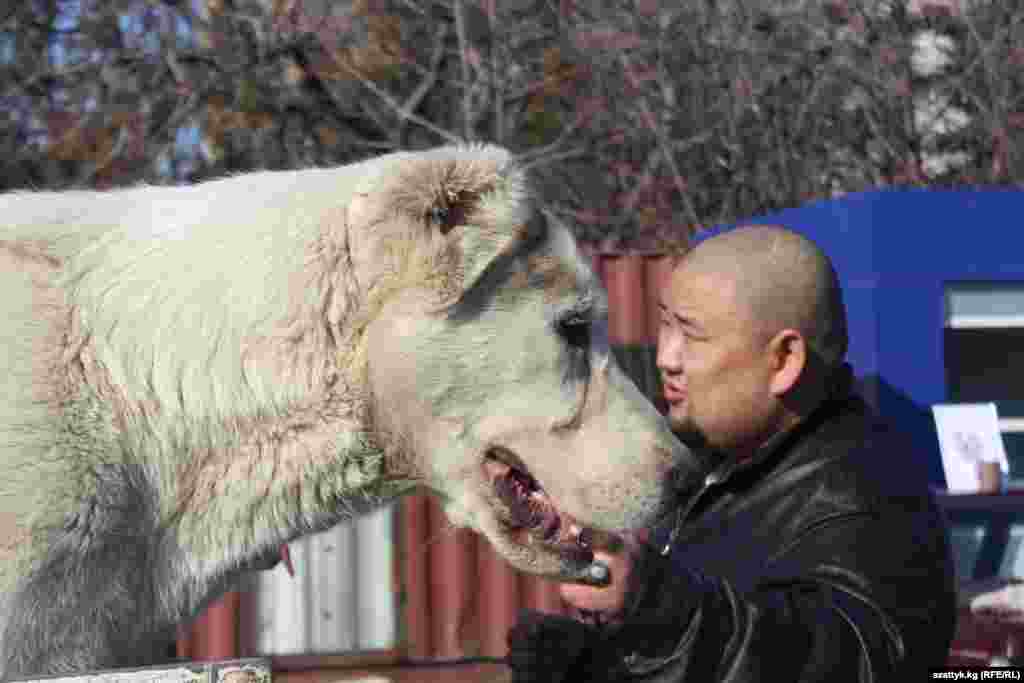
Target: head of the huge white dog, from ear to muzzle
[[488, 360]]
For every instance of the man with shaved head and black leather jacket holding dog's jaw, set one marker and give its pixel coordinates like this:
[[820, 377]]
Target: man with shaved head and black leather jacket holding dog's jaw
[[813, 551]]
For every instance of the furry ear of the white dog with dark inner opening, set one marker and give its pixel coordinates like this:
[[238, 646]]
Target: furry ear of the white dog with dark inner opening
[[465, 218]]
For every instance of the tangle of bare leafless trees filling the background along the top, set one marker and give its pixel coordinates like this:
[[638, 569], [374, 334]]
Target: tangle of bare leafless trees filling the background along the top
[[743, 108]]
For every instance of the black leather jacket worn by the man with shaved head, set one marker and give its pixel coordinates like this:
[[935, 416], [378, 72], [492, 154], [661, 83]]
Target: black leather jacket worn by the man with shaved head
[[825, 559]]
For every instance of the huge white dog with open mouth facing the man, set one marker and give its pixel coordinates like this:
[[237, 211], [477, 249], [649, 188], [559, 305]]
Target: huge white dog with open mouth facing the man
[[193, 376]]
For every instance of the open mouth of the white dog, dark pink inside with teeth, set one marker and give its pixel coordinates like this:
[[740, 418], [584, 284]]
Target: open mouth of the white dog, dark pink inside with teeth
[[532, 511]]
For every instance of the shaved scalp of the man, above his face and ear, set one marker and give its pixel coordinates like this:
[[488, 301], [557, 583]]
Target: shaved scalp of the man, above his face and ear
[[782, 280]]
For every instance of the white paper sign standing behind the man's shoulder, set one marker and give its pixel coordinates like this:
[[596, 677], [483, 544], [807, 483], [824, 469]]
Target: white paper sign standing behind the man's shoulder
[[969, 435]]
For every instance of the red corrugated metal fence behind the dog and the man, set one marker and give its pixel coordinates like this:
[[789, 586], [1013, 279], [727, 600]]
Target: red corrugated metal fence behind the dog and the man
[[457, 597]]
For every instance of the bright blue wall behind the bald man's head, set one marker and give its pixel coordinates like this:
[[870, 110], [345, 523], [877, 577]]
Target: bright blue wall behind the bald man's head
[[895, 252]]
